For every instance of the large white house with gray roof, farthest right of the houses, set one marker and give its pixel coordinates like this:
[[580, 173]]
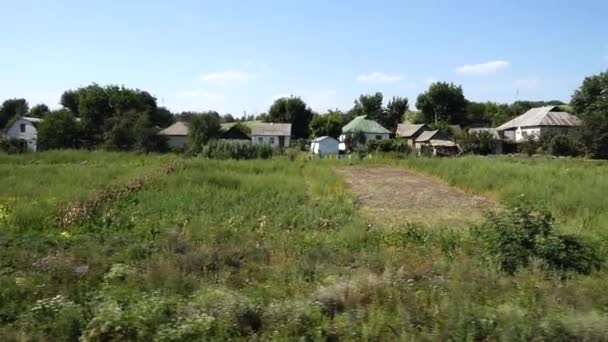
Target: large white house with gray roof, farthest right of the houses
[[536, 122]]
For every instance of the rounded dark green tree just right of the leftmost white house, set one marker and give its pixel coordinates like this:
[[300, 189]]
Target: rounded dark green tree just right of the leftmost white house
[[59, 130]]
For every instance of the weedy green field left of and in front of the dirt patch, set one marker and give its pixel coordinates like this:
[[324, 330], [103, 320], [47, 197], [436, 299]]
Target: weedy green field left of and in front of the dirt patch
[[258, 250]]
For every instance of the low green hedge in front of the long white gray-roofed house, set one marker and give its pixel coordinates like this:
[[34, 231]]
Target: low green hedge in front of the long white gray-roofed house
[[230, 150]]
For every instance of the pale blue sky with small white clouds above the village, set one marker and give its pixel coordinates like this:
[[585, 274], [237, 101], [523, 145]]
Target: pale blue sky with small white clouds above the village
[[235, 56]]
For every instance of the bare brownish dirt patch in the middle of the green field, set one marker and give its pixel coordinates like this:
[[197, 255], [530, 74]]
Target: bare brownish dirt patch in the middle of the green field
[[392, 196]]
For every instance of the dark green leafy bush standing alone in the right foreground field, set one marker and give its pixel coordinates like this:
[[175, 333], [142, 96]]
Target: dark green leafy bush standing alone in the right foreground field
[[517, 236]]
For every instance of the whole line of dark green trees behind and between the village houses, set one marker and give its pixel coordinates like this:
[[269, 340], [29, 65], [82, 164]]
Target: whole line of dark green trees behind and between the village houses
[[119, 118]]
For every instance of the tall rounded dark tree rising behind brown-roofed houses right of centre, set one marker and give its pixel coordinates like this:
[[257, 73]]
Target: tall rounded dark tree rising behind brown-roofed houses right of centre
[[443, 102]]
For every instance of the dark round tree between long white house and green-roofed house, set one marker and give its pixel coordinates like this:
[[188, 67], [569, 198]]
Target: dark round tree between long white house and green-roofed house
[[291, 110]]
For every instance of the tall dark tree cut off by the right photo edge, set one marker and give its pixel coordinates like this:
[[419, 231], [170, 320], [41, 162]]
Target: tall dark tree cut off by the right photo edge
[[590, 103]]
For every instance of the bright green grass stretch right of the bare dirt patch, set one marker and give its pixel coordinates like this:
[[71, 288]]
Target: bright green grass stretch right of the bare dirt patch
[[574, 190]]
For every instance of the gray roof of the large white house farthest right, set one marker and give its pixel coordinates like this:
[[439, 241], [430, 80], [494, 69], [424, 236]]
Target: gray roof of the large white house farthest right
[[542, 116]]
